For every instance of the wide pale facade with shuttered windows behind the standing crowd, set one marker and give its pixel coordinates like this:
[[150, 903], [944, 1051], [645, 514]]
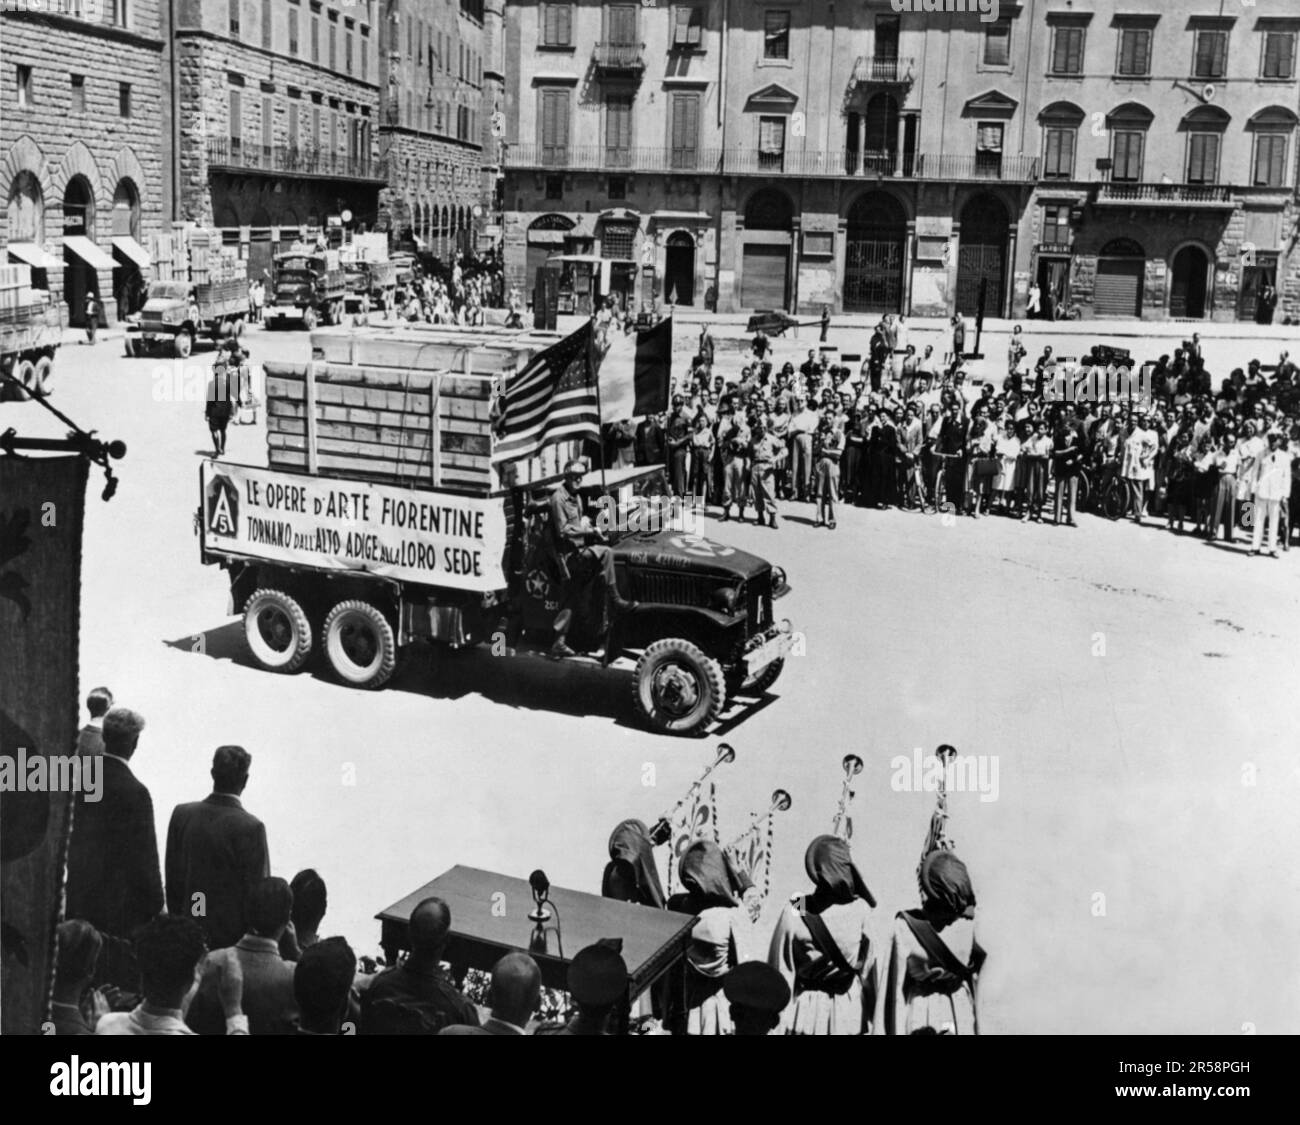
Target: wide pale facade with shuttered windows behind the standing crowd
[[781, 155]]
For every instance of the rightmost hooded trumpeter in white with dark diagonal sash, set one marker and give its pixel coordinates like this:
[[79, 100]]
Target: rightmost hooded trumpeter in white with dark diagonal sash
[[934, 957]]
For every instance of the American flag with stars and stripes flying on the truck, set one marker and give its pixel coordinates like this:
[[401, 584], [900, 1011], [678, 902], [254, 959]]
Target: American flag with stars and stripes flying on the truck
[[552, 400]]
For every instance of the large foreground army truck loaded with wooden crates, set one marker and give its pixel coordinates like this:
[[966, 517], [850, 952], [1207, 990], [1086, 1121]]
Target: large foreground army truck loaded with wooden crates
[[384, 523]]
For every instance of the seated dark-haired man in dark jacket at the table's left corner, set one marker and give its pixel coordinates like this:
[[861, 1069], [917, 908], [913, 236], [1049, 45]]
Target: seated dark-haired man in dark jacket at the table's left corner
[[415, 997]]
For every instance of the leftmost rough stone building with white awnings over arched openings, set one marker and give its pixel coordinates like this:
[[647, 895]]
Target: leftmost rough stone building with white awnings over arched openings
[[85, 135]]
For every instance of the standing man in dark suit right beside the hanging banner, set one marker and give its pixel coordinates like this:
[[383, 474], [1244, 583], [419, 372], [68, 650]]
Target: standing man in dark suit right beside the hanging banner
[[114, 879]]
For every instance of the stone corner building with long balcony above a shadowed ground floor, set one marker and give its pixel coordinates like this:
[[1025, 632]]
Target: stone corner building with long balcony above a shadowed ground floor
[[278, 105]]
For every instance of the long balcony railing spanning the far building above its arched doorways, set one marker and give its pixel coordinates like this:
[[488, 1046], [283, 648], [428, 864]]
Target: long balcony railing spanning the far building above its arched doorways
[[751, 162]]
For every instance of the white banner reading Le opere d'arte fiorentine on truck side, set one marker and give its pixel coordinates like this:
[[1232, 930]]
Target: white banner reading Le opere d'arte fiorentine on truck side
[[427, 538]]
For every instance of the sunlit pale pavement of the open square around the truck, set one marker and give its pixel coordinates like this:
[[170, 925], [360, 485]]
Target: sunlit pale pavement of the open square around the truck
[[1134, 691]]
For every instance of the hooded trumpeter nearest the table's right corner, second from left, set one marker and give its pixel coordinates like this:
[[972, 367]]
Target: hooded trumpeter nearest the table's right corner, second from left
[[720, 941]]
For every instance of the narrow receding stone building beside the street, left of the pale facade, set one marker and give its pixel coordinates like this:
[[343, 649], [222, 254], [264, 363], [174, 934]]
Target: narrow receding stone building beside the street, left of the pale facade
[[435, 114]]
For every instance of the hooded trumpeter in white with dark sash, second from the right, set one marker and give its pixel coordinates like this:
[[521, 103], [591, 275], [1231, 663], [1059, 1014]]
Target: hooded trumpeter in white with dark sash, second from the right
[[825, 946]]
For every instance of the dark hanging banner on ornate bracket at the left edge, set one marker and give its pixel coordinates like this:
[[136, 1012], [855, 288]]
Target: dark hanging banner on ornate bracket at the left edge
[[42, 505]]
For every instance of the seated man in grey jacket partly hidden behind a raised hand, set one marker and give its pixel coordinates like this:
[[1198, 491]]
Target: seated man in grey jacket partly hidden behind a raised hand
[[268, 980]]
